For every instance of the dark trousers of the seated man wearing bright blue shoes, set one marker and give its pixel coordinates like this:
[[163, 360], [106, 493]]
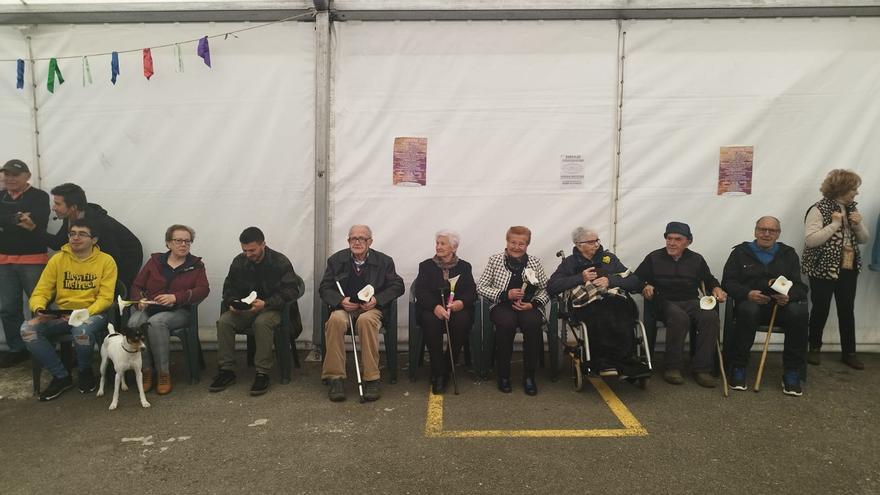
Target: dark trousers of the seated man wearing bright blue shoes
[[791, 317]]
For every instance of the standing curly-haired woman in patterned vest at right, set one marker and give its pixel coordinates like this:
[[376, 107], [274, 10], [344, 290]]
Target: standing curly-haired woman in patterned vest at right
[[833, 230]]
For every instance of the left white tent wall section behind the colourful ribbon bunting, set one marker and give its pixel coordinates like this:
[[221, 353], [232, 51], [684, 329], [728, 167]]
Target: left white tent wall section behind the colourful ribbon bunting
[[218, 148]]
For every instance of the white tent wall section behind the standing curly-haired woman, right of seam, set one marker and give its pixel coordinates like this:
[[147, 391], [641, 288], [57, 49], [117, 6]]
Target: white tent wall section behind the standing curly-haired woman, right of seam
[[804, 92]]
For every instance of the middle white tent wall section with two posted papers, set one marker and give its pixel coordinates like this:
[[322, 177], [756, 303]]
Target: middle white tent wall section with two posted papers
[[499, 102]]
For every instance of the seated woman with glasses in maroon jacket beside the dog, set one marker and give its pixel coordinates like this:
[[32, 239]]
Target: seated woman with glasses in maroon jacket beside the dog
[[167, 286]]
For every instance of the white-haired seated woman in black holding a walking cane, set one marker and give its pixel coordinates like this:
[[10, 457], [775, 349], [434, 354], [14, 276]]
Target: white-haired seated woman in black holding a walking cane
[[432, 291]]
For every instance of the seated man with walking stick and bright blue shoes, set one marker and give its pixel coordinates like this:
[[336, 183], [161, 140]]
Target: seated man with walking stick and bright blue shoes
[[748, 273]]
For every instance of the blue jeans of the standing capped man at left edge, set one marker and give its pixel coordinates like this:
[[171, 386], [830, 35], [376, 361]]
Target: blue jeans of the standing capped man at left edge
[[15, 280]]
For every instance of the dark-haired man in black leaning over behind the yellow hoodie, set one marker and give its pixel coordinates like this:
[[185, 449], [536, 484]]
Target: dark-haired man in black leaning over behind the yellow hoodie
[[69, 203]]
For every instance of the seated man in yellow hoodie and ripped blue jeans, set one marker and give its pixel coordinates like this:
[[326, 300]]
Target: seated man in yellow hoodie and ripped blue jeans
[[79, 276]]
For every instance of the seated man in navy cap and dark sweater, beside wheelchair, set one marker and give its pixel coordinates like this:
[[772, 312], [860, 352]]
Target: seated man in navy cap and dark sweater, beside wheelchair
[[672, 277]]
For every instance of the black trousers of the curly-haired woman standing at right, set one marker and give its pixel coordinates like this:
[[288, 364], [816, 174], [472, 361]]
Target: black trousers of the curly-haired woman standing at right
[[844, 291]]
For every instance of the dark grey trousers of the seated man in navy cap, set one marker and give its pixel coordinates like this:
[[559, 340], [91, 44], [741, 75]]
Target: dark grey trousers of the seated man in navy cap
[[679, 316]]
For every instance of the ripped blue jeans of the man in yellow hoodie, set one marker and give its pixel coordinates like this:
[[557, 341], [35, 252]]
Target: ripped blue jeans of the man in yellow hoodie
[[36, 337]]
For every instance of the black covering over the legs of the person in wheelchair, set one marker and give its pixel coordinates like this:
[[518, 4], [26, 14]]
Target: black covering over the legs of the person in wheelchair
[[610, 324]]
